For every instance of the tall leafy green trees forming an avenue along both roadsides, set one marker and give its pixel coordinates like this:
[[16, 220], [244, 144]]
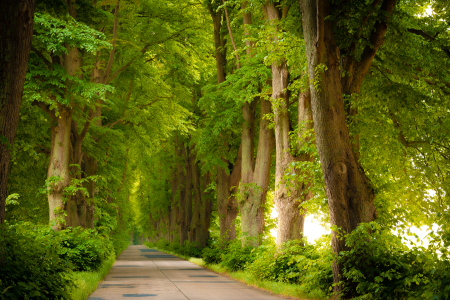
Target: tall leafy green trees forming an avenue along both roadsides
[[186, 122]]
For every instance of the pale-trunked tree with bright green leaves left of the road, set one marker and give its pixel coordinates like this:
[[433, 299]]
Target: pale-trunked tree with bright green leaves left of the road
[[56, 84]]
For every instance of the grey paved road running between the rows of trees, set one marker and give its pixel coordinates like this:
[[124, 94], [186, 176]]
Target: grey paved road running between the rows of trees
[[145, 273]]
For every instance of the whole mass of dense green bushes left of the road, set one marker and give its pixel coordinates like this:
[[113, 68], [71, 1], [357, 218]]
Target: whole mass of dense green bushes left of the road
[[39, 262]]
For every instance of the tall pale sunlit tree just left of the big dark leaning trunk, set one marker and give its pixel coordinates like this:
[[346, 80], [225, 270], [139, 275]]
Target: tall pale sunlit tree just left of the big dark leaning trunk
[[289, 192]]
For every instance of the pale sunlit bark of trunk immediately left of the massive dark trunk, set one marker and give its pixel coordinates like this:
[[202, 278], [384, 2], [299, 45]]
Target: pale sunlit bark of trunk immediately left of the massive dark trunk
[[287, 197]]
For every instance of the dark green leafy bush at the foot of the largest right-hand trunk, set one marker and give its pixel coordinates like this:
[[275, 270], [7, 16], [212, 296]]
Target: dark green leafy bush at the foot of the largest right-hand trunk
[[379, 266]]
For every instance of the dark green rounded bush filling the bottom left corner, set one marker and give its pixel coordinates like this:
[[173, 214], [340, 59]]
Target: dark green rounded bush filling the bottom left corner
[[30, 267]]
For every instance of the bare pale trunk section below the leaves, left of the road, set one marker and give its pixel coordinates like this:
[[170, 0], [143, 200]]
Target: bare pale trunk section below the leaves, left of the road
[[58, 169]]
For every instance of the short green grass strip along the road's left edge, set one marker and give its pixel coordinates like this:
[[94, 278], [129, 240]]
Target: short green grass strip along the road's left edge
[[87, 282]]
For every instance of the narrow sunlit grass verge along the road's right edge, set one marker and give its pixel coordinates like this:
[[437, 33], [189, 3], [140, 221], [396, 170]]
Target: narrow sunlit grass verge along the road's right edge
[[278, 288]]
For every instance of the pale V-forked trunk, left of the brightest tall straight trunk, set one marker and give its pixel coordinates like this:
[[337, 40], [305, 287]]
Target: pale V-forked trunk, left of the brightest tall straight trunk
[[255, 180]]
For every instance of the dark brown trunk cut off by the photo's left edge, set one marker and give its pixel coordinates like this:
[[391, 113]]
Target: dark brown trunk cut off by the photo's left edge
[[16, 31]]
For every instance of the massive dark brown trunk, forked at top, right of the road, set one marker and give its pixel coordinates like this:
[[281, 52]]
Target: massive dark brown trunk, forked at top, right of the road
[[350, 194]]
